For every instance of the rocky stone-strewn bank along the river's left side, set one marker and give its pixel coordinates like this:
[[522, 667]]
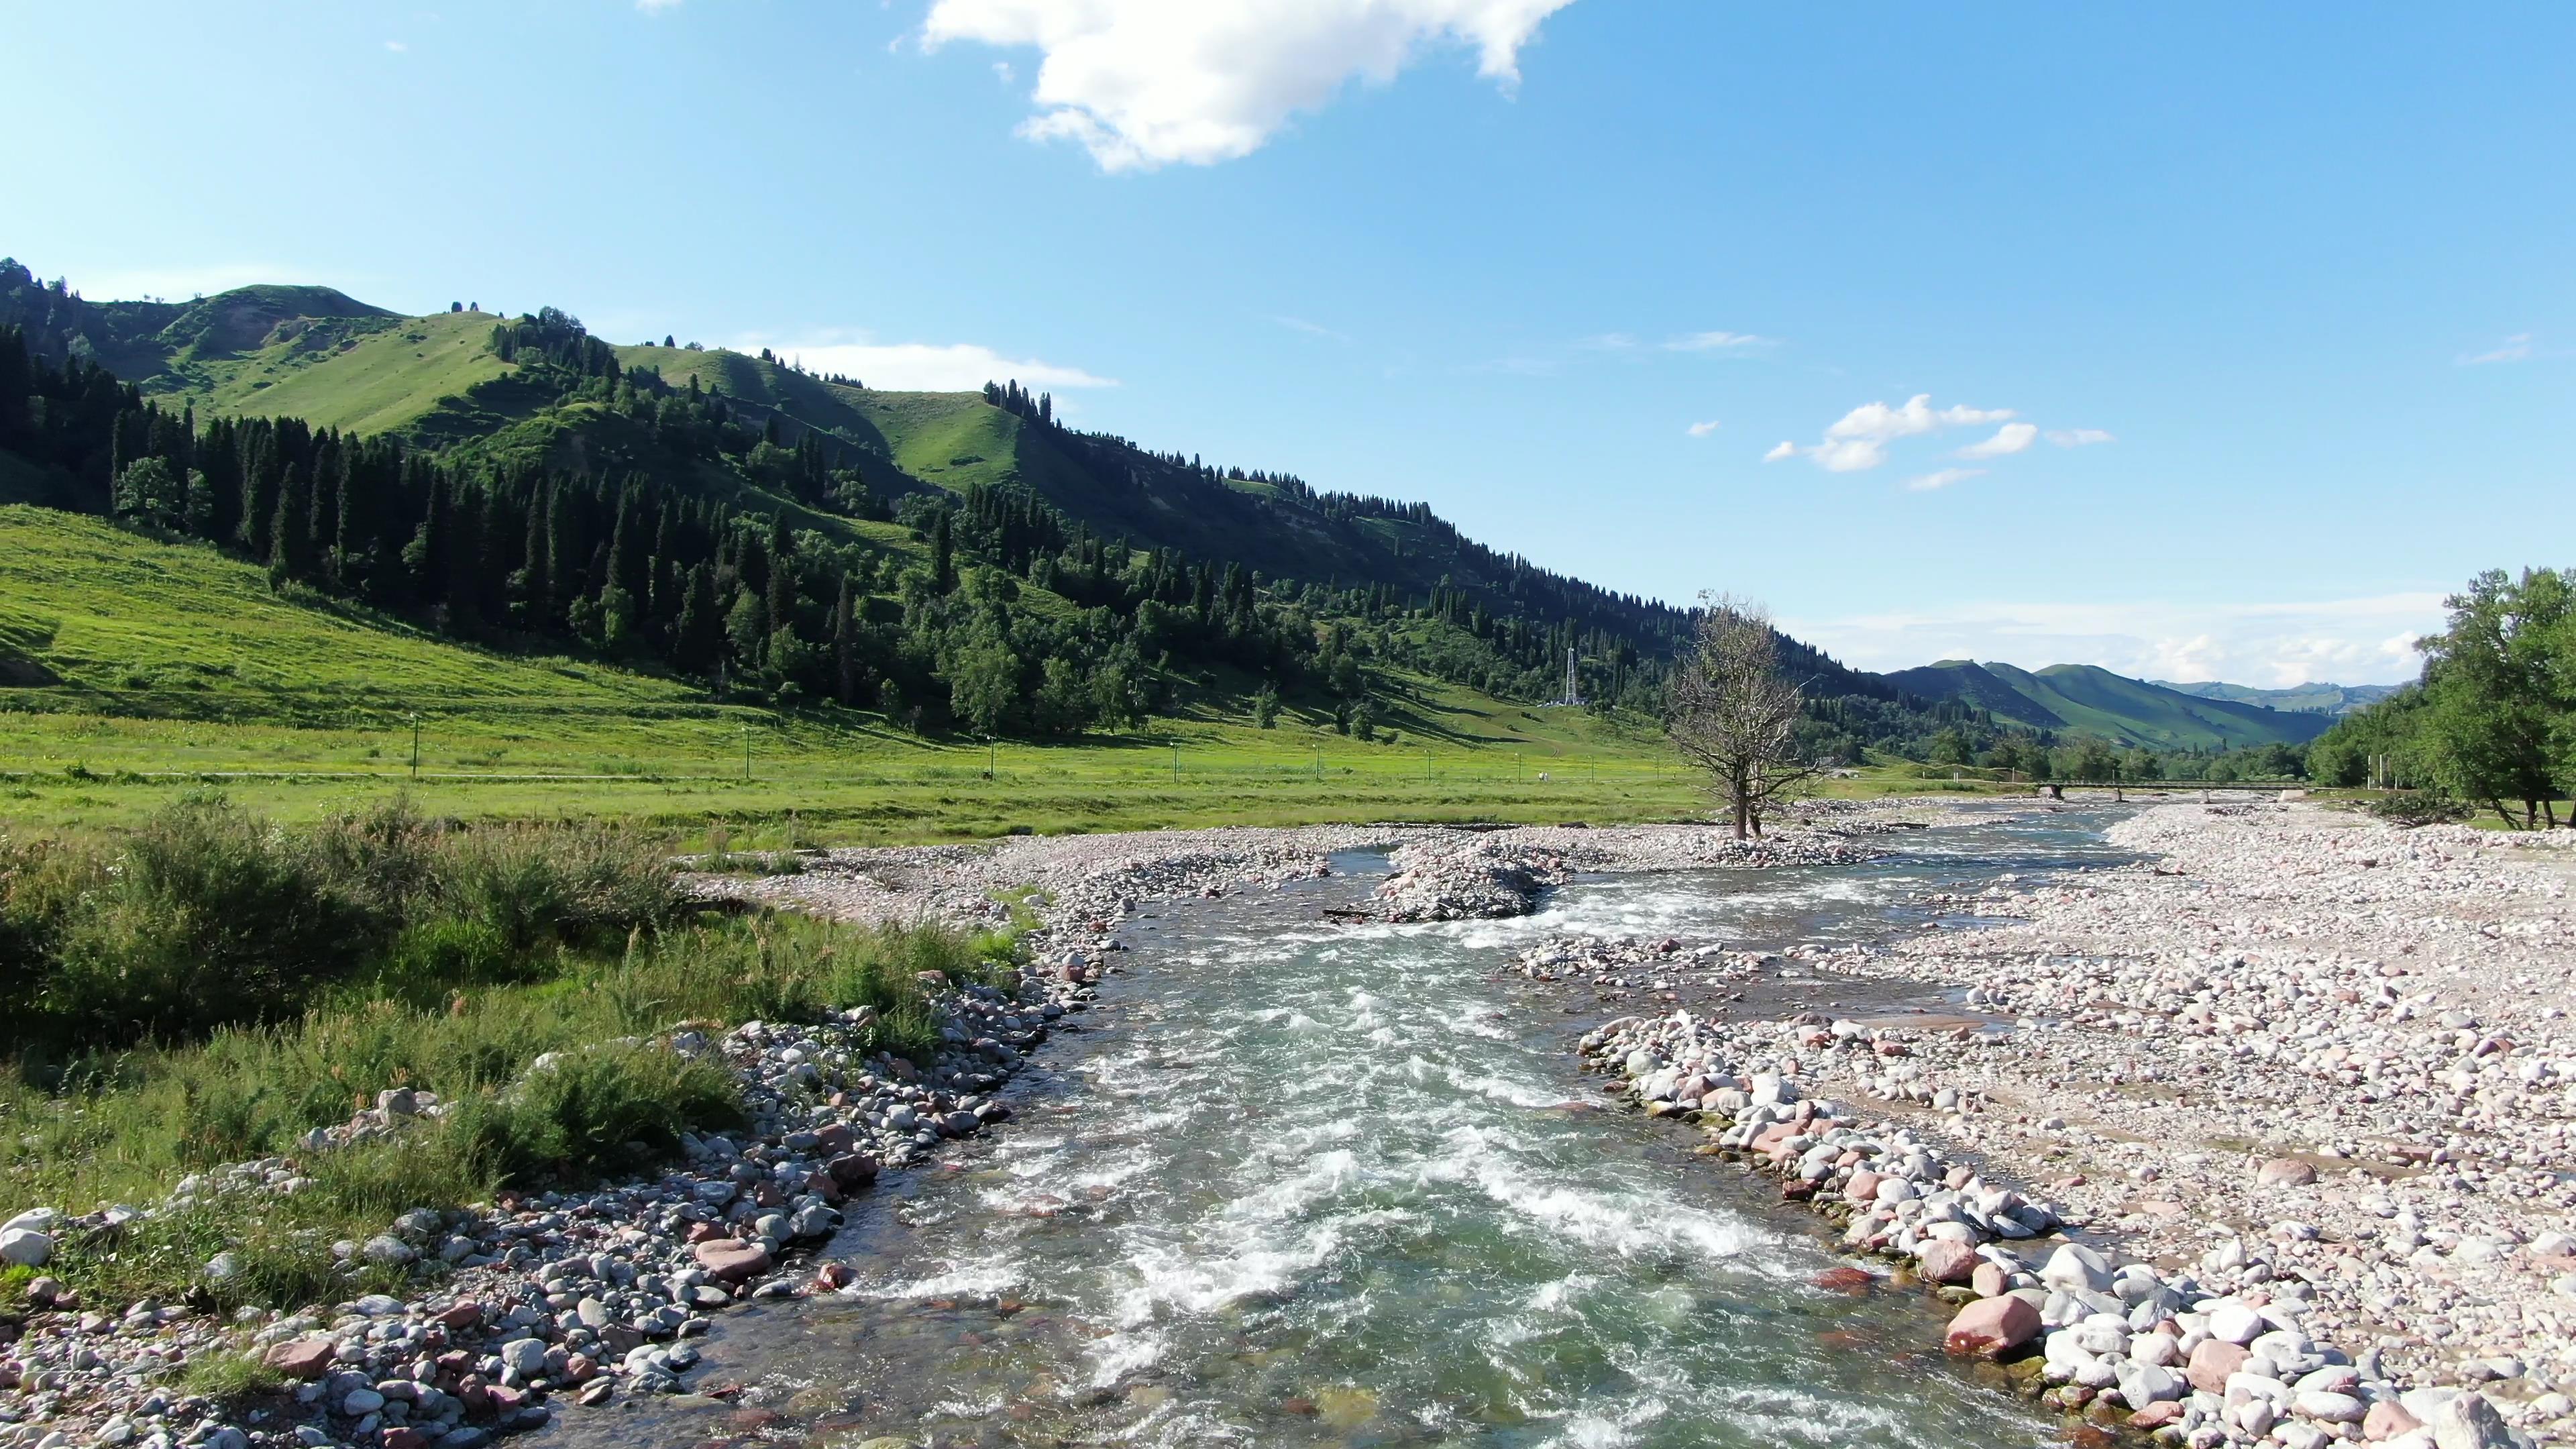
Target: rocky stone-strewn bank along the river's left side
[[578, 1298]]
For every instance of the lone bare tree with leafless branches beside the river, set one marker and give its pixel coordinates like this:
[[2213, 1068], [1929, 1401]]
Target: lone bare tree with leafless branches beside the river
[[1732, 713]]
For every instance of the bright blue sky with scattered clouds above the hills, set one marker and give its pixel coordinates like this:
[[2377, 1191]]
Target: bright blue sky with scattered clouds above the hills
[[2193, 339]]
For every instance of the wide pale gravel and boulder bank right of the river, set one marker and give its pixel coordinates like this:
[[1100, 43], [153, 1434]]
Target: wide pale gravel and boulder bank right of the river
[[2268, 1141]]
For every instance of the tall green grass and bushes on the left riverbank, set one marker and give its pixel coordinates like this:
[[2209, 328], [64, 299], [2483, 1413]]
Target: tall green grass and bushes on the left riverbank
[[475, 958]]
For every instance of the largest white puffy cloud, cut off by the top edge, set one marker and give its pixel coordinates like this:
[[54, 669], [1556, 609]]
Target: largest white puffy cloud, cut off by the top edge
[[1148, 84]]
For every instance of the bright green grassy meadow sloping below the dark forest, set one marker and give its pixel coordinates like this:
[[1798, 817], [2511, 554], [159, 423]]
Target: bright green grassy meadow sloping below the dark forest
[[135, 672]]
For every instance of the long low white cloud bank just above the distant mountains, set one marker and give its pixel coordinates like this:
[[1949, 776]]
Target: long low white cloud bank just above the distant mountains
[[2271, 646]]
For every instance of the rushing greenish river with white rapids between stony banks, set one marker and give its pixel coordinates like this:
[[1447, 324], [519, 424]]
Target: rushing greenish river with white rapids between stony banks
[[1320, 1185]]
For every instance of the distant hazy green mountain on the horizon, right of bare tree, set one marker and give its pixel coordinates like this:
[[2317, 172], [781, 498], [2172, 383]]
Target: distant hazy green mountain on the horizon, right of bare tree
[[2088, 700]]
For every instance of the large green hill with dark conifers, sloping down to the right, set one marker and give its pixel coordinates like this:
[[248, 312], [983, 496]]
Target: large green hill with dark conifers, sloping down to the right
[[960, 558]]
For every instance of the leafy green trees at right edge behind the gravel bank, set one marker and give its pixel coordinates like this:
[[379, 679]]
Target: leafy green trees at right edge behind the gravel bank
[[2492, 723]]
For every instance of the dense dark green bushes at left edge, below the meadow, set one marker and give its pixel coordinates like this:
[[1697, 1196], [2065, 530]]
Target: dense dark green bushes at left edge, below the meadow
[[210, 917]]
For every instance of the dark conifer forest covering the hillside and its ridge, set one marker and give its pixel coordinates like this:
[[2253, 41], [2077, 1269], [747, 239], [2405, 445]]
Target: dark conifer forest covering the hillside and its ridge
[[661, 561]]
